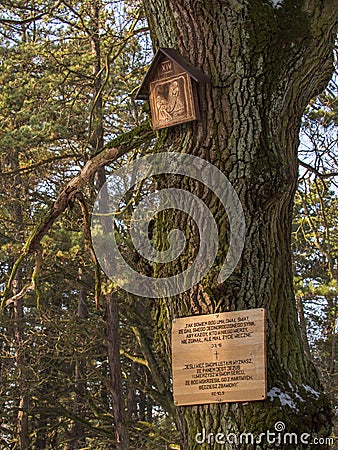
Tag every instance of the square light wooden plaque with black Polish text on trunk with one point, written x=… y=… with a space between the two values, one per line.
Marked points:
x=219 y=358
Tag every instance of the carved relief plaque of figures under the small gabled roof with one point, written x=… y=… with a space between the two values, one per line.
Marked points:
x=172 y=101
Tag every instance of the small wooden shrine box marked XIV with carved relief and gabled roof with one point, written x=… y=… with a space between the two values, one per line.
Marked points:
x=171 y=86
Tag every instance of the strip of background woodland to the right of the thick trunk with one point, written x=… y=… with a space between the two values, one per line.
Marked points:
x=315 y=235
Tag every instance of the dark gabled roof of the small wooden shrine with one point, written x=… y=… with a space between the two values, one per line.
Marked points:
x=195 y=73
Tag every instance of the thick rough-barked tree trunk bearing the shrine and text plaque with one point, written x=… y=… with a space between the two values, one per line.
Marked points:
x=266 y=64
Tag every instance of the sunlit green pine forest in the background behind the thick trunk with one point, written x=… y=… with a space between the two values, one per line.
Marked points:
x=49 y=113
